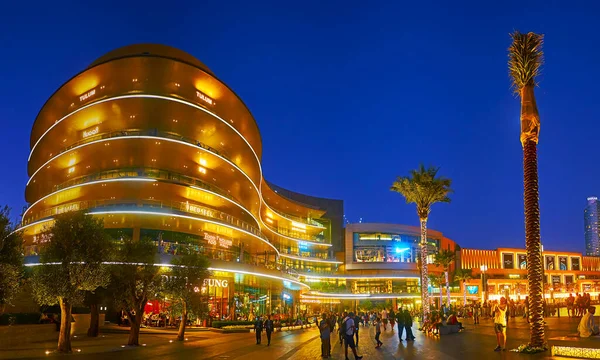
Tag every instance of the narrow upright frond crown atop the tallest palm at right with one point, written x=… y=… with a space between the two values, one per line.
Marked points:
x=525 y=58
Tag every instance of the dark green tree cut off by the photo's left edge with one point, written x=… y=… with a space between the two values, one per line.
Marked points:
x=11 y=259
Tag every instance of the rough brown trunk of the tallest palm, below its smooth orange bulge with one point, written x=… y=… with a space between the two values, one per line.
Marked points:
x=533 y=243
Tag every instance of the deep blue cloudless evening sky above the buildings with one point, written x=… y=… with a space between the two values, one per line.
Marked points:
x=350 y=94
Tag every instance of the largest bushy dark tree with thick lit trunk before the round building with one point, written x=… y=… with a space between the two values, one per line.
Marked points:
x=71 y=263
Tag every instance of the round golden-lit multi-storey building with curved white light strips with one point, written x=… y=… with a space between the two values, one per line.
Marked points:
x=151 y=141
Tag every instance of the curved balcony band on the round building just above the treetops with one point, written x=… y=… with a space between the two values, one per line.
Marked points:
x=177 y=206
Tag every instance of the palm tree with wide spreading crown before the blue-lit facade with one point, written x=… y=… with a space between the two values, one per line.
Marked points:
x=424 y=188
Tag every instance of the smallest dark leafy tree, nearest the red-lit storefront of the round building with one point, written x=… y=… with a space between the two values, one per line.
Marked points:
x=184 y=283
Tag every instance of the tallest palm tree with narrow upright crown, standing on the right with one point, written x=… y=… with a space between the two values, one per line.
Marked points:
x=525 y=59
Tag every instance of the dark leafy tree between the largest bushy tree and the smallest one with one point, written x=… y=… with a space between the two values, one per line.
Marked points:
x=135 y=281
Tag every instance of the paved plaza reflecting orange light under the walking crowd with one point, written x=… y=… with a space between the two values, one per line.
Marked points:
x=476 y=342
